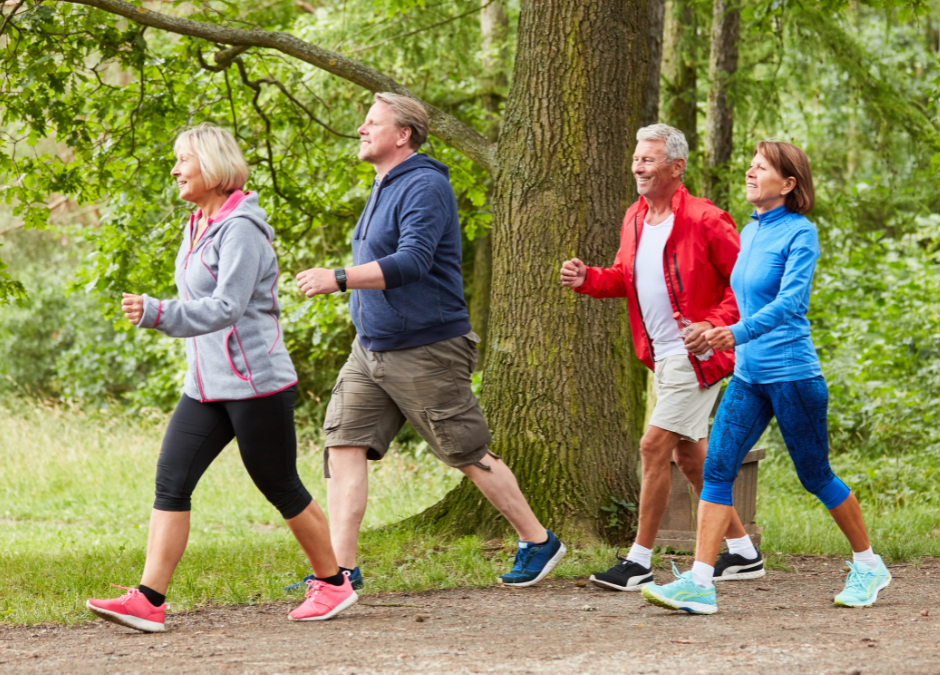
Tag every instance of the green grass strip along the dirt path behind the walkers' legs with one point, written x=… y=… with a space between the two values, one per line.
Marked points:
x=75 y=497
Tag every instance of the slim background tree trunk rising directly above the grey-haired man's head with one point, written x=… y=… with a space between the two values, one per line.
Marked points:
x=678 y=103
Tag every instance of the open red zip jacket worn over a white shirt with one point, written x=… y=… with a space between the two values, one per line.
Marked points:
x=697 y=261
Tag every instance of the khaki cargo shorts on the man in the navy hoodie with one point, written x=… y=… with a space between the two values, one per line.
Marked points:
x=428 y=386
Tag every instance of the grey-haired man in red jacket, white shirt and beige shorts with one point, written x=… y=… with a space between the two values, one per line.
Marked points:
x=674 y=266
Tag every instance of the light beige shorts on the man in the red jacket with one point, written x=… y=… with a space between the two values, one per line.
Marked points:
x=682 y=406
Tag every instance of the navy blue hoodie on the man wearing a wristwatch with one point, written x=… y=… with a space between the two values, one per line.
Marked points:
x=410 y=226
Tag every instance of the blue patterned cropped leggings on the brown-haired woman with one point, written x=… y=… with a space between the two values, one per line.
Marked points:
x=746 y=409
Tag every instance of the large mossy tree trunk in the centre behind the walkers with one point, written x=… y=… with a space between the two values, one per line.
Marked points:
x=561 y=396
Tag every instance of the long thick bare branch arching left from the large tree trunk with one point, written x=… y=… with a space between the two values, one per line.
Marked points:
x=448 y=129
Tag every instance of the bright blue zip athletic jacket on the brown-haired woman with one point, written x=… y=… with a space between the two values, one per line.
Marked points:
x=771 y=281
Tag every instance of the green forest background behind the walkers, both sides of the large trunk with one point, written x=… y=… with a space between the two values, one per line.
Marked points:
x=90 y=104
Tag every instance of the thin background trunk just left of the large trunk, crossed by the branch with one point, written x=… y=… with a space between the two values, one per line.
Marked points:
x=494 y=29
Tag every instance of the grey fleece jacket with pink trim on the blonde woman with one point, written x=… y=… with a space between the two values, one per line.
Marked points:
x=228 y=311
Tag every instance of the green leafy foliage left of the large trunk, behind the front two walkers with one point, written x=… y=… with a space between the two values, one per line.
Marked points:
x=91 y=105
